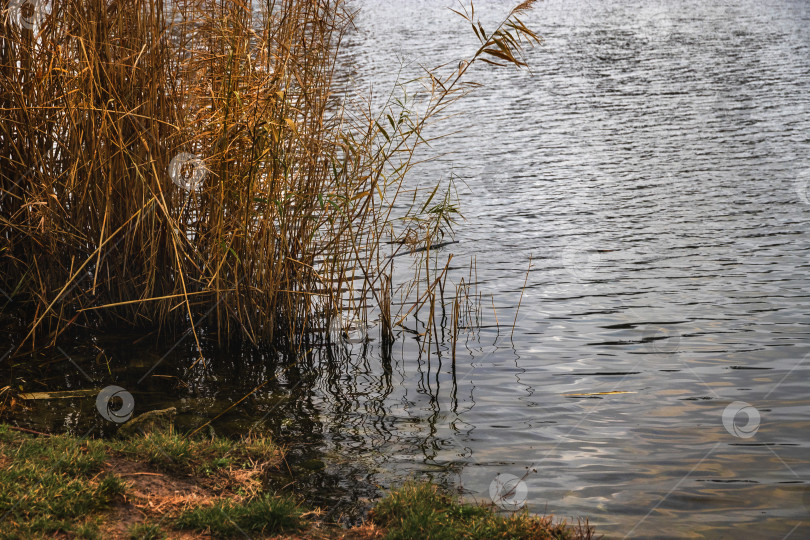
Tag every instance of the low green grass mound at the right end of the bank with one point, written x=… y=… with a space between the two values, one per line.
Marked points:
x=421 y=510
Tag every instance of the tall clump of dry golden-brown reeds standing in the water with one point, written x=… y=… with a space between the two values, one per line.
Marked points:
x=184 y=166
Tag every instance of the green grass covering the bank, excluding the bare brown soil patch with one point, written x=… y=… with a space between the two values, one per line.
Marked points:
x=57 y=486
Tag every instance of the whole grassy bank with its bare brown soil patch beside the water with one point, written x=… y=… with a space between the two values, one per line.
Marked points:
x=166 y=486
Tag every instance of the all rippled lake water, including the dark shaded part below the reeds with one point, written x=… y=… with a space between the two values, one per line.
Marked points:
x=653 y=167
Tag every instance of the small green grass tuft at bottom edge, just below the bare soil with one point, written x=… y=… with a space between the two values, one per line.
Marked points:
x=266 y=514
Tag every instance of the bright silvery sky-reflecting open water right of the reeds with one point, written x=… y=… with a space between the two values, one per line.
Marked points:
x=648 y=163
